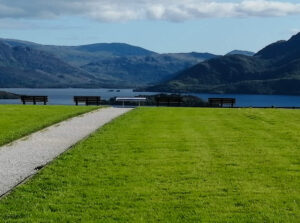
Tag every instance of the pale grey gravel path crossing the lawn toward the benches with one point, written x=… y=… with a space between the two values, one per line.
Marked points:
x=24 y=157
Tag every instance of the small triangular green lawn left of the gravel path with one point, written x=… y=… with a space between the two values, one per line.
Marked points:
x=17 y=121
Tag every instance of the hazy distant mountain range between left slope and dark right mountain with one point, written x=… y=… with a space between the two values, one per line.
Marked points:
x=114 y=64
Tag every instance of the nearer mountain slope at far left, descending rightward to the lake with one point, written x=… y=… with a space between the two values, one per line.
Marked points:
x=23 y=66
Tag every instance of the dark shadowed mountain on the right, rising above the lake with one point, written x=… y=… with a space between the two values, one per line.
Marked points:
x=273 y=70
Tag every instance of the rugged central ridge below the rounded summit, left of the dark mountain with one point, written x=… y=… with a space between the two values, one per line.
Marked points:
x=144 y=70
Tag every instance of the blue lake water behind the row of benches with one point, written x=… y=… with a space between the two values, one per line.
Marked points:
x=65 y=96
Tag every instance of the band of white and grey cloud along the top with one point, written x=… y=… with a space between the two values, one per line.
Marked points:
x=125 y=10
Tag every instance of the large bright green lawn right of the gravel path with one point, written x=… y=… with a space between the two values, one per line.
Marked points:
x=172 y=165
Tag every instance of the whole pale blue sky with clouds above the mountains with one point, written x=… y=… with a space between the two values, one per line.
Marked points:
x=164 y=26
